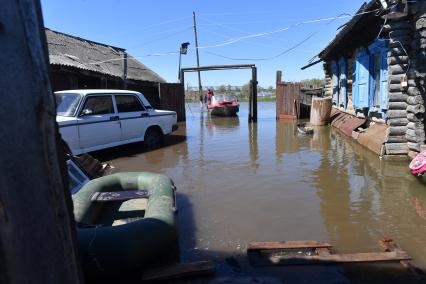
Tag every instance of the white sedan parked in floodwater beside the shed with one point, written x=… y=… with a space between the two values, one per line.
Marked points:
x=91 y=120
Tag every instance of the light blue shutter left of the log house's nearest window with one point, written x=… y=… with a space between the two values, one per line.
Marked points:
x=363 y=72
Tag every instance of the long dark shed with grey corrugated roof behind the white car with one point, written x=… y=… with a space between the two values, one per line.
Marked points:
x=77 y=63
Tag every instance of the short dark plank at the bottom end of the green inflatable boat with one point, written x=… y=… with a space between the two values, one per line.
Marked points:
x=179 y=270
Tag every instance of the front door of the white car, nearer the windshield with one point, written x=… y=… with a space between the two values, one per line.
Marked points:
x=98 y=123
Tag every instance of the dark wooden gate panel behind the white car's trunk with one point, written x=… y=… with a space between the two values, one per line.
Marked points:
x=172 y=97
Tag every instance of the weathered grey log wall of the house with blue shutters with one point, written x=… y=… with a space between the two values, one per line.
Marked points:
x=406 y=60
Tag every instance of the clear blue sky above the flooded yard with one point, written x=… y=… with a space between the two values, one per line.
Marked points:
x=147 y=28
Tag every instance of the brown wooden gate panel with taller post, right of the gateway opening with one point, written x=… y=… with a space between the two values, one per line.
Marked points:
x=287 y=99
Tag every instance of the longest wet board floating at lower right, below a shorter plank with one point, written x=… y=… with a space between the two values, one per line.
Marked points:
x=326 y=258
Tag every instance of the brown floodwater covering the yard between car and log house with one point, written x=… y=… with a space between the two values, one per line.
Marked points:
x=239 y=182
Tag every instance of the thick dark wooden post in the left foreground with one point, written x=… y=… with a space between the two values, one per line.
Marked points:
x=37 y=229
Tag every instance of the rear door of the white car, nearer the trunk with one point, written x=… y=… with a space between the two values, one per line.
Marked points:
x=133 y=116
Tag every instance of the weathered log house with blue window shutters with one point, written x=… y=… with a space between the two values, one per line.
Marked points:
x=375 y=69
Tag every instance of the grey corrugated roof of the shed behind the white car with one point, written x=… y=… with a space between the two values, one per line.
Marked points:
x=67 y=50
